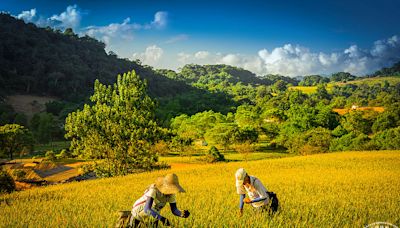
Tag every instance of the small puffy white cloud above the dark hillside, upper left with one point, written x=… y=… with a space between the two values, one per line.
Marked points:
x=70 y=18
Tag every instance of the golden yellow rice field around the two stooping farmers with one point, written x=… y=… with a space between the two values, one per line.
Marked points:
x=348 y=189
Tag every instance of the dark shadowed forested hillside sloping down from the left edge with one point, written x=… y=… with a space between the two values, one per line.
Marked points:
x=44 y=61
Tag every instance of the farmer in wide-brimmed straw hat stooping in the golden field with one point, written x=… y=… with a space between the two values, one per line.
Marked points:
x=147 y=208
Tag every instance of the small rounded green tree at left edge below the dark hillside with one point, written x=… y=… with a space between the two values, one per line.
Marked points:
x=12 y=139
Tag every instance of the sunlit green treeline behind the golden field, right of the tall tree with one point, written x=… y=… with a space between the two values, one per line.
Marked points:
x=304 y=123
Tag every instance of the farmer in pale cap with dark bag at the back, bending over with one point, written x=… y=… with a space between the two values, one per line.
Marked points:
x=259 y=197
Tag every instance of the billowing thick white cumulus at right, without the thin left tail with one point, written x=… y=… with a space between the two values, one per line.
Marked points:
x=296 y=60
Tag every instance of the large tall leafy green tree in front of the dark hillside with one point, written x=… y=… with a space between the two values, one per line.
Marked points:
x=119 y=127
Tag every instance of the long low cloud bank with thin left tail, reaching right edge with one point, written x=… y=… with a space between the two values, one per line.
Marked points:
x=294 y=60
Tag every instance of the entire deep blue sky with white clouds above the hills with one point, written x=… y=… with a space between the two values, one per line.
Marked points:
x=286 y=37
